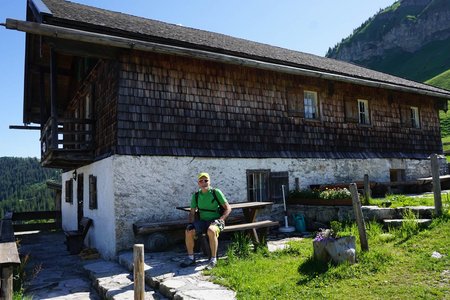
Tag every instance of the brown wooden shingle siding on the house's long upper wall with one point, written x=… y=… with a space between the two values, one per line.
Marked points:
x=178 y=106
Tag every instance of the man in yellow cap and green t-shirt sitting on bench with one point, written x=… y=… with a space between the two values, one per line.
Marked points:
x=212 y=209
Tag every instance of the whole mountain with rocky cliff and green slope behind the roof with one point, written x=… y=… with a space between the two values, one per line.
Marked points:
x=410 y=39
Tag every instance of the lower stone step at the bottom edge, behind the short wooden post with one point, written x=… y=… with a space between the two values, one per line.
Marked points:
x=113 y=281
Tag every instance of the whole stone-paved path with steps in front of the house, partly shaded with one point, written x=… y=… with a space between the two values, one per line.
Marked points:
x=54 y=274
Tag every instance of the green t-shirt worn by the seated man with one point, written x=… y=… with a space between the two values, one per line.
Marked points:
x=206 y=201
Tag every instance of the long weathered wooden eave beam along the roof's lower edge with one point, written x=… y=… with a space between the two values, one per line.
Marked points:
x=127 y=43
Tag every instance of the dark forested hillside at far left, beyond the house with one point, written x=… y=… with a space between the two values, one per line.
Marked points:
x=23 y=185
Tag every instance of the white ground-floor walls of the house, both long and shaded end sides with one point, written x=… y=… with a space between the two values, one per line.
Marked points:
x=149 y=188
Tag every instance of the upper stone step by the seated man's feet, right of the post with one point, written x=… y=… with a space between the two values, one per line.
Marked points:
x=163 y=273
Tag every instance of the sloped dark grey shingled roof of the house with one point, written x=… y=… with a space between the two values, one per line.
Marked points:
x=74 y=15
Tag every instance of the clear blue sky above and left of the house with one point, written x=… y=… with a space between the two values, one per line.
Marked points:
x=309 y=26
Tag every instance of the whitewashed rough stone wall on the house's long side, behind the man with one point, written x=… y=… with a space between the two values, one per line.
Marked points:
x=149 y=188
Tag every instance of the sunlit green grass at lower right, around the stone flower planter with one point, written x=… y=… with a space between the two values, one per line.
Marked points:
x=398 y=265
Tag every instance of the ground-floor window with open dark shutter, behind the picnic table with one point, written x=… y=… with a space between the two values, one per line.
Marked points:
x=263 y=185
